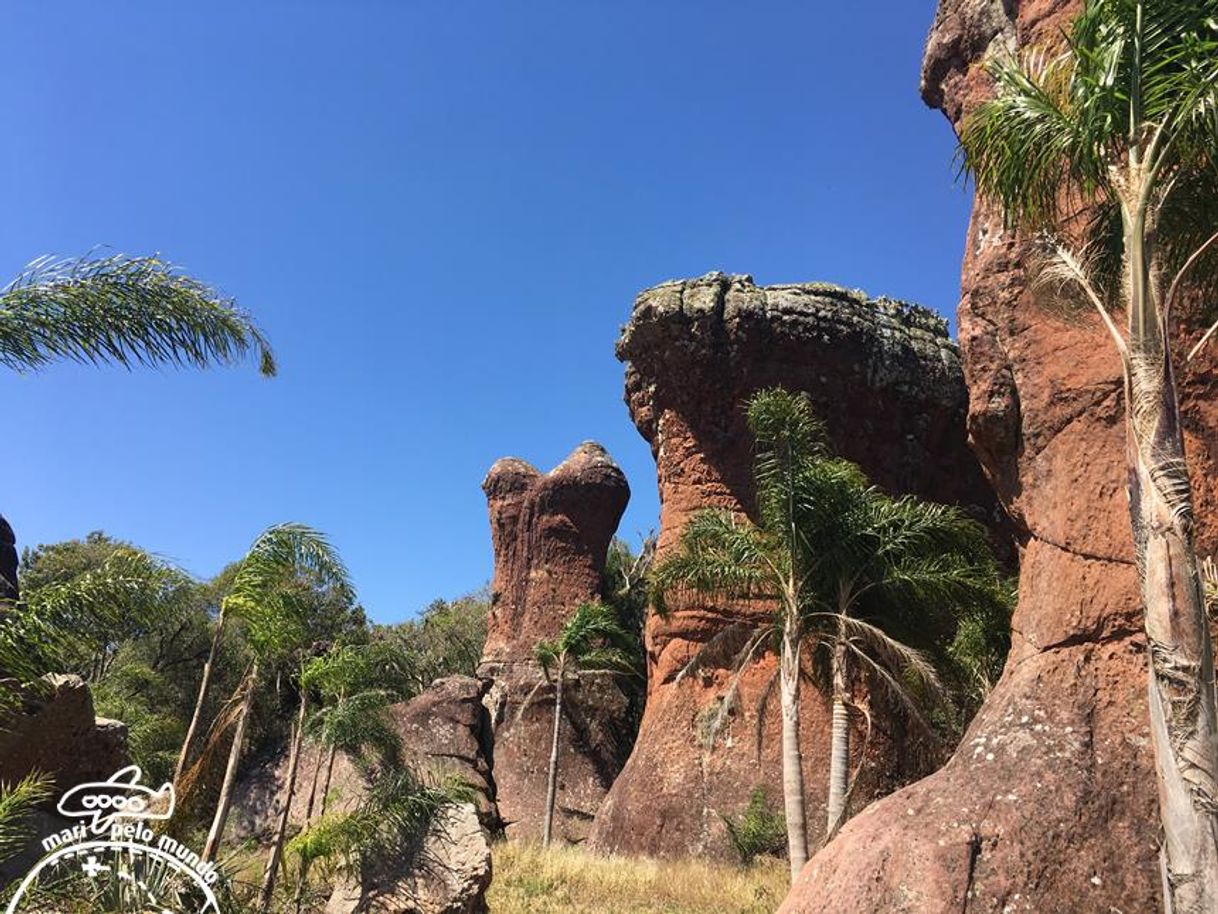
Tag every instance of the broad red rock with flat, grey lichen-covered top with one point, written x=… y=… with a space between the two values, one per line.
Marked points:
x=887 y=381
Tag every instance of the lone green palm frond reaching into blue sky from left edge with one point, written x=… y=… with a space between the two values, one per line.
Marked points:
x=125 y=310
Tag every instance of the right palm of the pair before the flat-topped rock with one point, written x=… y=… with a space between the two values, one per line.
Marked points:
x=885 y=569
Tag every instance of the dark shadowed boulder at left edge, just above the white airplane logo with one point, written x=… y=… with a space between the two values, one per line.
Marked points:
x=55 y=732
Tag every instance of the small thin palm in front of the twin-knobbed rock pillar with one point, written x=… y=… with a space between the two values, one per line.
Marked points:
x=591 y=642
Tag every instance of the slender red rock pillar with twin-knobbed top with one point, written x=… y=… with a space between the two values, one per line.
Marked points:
x=551 y=533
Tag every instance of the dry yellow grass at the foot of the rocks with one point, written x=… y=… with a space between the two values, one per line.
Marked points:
x=566 y=880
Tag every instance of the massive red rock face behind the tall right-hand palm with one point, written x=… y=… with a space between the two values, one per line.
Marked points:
x=1049 y=804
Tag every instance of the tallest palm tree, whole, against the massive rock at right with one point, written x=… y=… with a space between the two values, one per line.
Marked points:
x=1121 y=124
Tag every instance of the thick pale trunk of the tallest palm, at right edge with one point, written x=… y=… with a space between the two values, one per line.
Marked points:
x=1185 y=723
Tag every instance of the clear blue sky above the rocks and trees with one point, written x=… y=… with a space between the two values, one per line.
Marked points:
x=440 y=213
